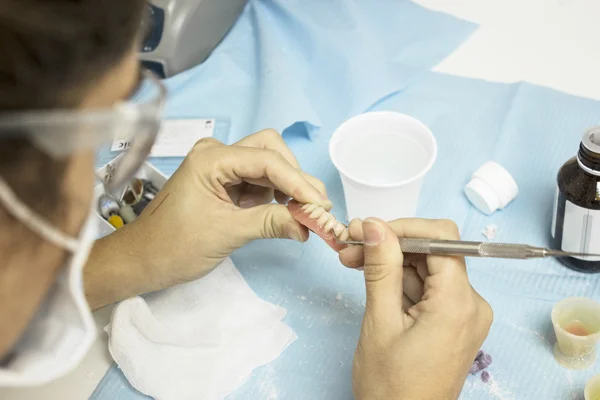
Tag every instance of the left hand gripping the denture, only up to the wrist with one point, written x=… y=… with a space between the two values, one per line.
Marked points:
x=220 y=199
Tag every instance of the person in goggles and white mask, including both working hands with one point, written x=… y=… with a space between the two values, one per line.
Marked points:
x=67 y=69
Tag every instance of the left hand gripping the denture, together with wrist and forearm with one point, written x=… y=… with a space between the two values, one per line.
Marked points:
x=219 y=199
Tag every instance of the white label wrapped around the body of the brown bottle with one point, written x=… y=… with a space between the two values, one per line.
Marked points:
x=580 y=230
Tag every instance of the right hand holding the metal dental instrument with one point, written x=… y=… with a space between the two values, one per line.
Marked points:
x=423 y=322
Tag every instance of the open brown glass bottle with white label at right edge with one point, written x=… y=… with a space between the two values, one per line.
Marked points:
x=576 y=221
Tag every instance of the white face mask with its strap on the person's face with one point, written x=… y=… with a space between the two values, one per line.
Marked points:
x=63 y=329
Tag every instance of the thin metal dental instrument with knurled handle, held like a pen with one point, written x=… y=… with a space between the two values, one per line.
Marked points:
x=476 y=249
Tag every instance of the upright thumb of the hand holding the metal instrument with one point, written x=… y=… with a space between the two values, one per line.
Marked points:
x=383 y=269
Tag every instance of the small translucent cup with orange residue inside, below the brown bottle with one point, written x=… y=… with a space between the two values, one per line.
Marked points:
x=576 y=322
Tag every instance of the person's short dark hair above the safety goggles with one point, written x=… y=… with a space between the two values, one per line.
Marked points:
x=50 y=47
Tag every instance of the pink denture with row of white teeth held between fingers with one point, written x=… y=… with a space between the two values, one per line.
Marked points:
x=321 y=222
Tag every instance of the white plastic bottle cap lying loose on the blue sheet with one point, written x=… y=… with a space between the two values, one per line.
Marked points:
x=491 y=188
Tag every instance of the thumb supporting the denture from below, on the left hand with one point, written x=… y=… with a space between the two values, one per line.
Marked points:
x=271 y=221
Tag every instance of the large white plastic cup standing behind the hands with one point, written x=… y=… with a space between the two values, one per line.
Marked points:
x=382 y=158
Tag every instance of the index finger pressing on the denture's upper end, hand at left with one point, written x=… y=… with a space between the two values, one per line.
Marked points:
x=268 y=167
